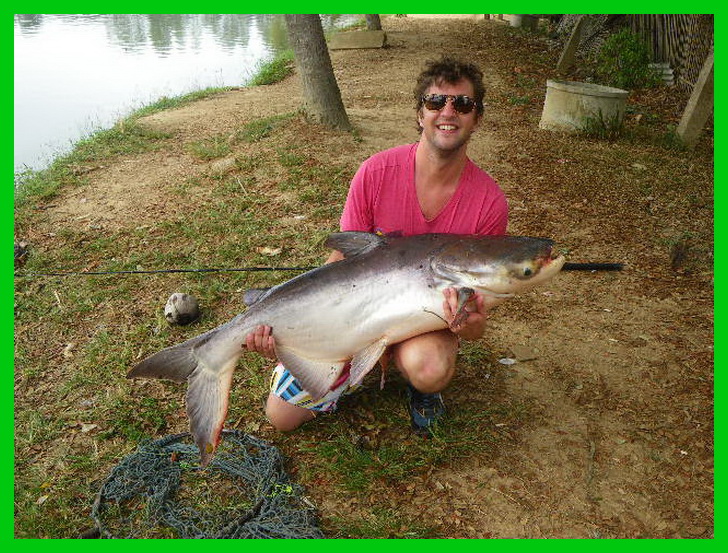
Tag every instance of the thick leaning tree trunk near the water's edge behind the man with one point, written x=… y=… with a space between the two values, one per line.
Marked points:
x=322 y=98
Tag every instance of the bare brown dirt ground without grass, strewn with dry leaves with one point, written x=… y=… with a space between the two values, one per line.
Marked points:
x=619 y=443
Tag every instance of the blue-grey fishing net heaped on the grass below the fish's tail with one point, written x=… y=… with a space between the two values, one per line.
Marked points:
x=160 y=491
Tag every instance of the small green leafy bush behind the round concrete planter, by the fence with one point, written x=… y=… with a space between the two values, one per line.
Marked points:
x=623 y=62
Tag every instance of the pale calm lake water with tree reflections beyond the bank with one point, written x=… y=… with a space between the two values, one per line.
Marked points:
x=77 y=73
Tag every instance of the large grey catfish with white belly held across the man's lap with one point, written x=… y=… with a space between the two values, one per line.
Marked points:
x=384 y=291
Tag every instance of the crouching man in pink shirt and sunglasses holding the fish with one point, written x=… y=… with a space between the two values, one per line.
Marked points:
x=429 y=186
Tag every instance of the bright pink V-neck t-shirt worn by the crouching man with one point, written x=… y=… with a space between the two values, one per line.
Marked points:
x=382 y=199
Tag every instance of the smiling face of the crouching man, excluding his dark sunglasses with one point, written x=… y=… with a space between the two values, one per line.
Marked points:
x=448 y=130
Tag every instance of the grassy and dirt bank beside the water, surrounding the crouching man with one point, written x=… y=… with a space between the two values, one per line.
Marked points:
x=595 y=437
